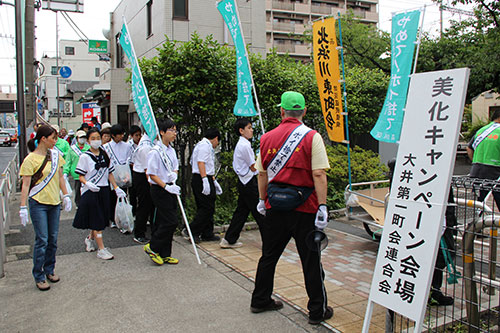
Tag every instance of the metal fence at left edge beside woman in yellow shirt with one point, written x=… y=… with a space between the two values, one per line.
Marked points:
x=8 y=184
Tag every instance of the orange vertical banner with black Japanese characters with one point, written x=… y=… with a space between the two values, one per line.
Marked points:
x=326 y=65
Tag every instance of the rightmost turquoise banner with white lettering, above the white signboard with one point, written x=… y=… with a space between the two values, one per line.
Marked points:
x=404 y=34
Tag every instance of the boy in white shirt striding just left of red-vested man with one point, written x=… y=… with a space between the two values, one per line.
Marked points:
x=248 y=191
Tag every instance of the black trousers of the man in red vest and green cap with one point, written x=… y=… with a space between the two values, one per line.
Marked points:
x=281 y=227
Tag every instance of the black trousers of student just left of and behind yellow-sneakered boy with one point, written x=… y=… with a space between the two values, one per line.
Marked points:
x=145 y=207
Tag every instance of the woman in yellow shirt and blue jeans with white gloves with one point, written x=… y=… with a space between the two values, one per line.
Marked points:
x=42 y=188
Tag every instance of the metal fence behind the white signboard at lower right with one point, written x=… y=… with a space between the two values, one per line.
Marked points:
x=469 y=276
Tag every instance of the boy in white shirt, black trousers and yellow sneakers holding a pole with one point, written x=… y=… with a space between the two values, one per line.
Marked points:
x=162 y=170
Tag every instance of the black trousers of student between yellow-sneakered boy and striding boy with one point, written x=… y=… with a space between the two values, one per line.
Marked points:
x=203 y=223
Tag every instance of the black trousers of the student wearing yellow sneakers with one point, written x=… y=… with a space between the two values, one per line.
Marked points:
x=165 y=221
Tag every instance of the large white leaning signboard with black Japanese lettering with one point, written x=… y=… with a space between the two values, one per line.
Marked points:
x=419 y=194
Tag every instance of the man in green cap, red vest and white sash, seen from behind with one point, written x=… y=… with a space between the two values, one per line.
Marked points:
x=292 y=196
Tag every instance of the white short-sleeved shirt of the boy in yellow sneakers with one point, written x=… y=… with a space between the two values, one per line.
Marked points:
x=157 y=167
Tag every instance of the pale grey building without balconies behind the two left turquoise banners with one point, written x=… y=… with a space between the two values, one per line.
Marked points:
x=151 y=22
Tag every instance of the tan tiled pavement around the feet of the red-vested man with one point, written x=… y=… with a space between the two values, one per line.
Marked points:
x=348 y=262
